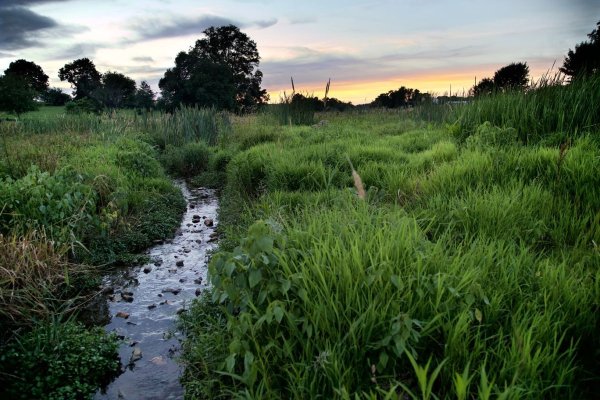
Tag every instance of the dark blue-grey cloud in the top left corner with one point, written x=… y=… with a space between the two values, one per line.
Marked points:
x=17 y=26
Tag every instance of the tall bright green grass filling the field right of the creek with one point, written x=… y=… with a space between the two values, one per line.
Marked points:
x=468 y=269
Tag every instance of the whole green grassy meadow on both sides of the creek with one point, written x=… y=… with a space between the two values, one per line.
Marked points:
x=448 y=251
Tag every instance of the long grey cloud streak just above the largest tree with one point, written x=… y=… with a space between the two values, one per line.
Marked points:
x=150 y=29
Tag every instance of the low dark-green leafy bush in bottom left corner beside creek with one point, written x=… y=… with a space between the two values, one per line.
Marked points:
x=57 y=361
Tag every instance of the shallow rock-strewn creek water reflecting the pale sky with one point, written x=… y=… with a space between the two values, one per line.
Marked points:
x=142 y=304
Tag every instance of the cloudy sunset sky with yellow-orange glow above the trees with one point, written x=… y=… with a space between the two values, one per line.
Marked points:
x=366 y=47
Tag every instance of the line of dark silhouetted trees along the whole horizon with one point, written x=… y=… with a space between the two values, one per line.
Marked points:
x=221 y=70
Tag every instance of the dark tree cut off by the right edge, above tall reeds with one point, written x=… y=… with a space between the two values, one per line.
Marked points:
x=585 y=59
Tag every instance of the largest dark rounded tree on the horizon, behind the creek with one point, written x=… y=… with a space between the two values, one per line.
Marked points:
x=227 y=52
